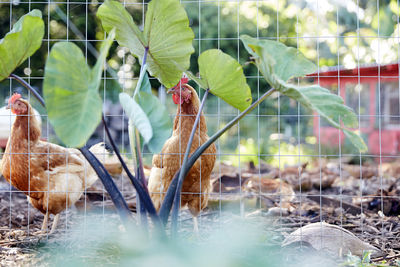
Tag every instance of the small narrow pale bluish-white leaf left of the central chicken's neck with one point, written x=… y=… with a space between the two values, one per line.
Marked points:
x=136 y=114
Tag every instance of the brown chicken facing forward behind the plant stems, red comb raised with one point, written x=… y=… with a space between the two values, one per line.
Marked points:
x=197 y=186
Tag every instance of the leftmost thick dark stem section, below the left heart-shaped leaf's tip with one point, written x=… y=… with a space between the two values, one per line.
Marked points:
x=108 y=183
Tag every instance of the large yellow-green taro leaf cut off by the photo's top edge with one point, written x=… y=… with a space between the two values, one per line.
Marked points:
x=166 y=33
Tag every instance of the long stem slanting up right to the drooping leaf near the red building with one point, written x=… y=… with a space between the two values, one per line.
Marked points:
x=167 y=203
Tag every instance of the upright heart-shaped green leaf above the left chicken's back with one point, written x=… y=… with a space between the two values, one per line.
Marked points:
x=70 y=89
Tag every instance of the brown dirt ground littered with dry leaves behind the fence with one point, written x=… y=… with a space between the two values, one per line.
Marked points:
x=363 y=200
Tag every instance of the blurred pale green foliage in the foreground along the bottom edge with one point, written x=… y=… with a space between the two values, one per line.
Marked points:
x=98 y=241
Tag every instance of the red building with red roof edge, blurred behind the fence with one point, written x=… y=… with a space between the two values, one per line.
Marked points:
x=373 y=93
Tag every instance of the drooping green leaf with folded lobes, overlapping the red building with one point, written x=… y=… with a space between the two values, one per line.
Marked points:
x=279 y=63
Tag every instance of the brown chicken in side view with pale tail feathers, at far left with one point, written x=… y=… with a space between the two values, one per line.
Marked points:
x=53 y=177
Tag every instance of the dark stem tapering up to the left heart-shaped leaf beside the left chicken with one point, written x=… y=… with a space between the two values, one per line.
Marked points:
x=143 y=195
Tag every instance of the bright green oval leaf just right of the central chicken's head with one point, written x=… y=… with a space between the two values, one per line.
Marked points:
x=224 y=76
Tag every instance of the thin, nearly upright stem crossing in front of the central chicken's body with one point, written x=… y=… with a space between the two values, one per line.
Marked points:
x=175 y=211
